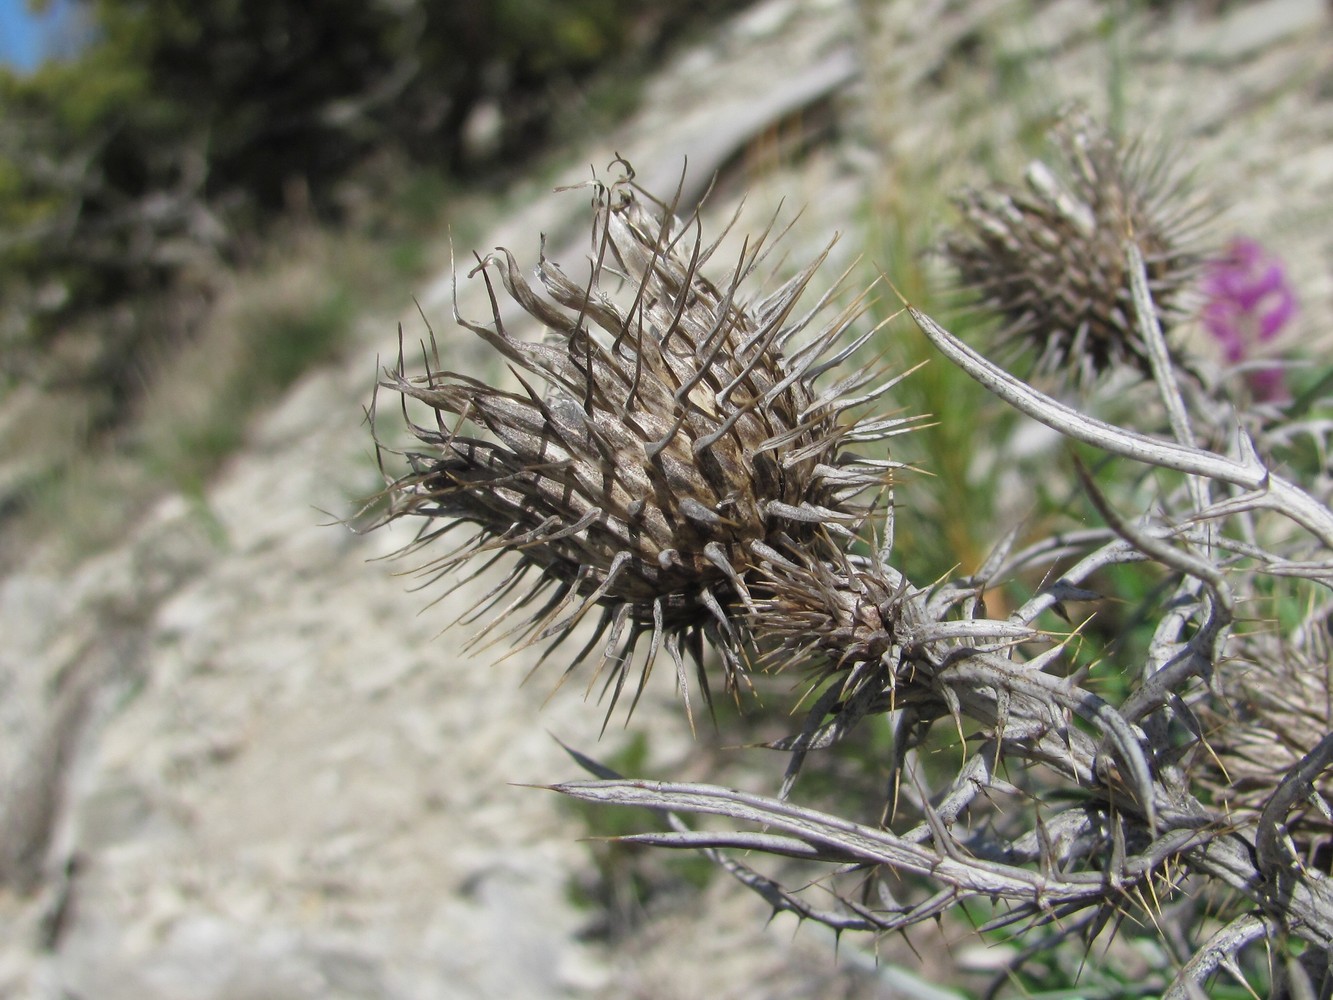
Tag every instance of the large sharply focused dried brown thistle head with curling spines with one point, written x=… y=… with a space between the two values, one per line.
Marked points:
x=662 y=430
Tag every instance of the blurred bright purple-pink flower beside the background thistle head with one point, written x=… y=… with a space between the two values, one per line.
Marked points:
x=1250 y=302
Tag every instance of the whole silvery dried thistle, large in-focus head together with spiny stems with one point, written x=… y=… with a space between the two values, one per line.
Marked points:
x=688 y=461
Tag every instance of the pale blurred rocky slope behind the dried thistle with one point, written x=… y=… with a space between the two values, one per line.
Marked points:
x=238 y=763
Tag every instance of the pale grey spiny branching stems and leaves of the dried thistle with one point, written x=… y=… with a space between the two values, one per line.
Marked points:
x=1027 y=711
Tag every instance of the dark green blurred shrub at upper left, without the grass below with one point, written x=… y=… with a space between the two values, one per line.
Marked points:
x=158 y=154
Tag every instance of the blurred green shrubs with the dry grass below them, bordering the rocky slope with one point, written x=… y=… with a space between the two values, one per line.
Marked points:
x=139 y=175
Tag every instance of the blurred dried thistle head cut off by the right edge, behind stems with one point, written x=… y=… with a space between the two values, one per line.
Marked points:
x=1278 y=706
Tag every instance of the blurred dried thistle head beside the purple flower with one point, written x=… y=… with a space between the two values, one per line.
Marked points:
x=1050 y=258
